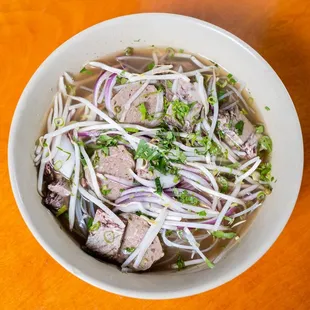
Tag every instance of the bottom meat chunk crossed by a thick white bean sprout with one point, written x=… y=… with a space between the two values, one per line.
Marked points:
x=134 y=234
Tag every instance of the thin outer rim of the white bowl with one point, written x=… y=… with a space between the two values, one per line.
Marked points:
x=105 y=285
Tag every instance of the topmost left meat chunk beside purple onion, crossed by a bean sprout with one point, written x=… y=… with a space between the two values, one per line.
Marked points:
x=148 y=97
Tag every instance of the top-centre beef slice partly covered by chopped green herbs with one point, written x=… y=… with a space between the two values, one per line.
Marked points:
x=187 y=93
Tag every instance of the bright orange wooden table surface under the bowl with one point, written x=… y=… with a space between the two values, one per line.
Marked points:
x=30 y=30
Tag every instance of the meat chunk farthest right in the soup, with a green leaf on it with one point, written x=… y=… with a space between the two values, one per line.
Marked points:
x=244 y=139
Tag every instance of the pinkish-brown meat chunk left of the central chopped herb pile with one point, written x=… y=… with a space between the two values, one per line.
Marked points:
x=117 y=164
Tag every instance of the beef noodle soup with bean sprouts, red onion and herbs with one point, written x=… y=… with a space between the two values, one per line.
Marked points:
x=153 y=159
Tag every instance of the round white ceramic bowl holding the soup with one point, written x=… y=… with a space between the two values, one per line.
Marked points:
x=198 y=37
